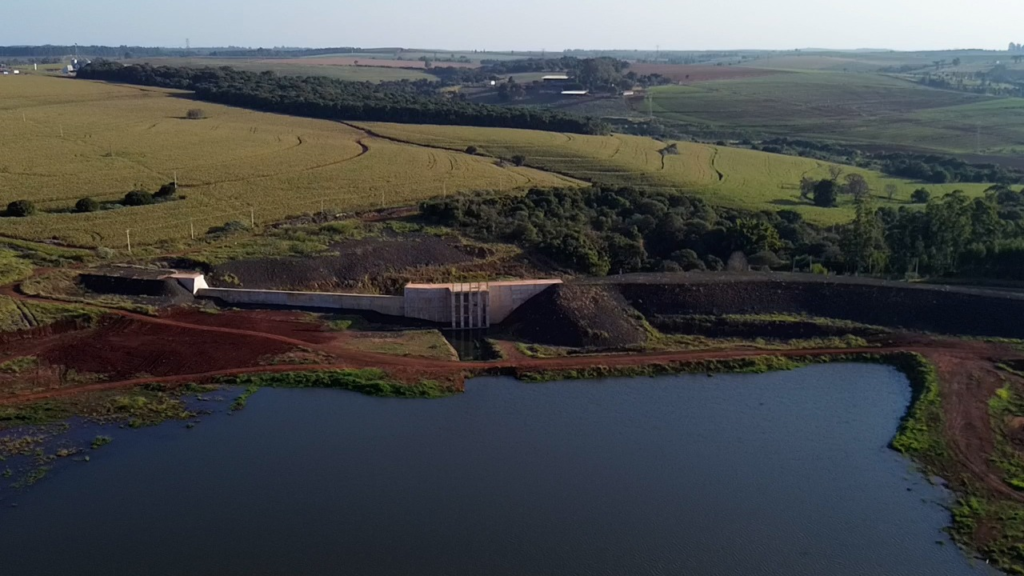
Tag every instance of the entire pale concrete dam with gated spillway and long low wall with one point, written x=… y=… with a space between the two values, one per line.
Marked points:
x=459 y=306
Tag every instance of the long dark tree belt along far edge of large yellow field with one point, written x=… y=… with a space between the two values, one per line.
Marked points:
x=337 y=100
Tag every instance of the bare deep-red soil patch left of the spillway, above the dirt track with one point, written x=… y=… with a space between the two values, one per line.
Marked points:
x=122 y=349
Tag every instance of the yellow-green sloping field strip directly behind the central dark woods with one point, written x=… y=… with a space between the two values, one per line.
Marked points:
x=728 y=177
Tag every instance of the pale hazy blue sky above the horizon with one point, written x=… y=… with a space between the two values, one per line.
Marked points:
x=521 y=25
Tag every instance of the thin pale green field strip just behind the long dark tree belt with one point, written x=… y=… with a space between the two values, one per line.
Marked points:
x=344 y=69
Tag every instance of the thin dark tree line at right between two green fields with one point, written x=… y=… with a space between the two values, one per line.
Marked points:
x=932 y=169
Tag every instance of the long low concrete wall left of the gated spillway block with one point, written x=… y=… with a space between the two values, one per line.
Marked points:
x=392 y=306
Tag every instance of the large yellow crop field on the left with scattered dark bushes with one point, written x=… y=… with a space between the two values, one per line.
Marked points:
x=64 y=140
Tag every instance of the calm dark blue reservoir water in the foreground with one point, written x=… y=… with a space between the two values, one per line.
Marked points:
x=784 y=474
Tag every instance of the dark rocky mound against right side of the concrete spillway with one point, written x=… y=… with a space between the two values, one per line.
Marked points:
x=569 y=315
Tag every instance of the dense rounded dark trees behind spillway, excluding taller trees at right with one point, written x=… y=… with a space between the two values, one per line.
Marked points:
x=604 y=230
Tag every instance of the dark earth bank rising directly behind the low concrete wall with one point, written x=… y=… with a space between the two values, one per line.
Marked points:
x=357 y=261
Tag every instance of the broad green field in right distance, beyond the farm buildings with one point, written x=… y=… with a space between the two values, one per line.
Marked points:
x=864 y=109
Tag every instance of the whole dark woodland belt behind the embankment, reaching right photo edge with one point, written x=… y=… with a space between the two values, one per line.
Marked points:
x=604 y=231
